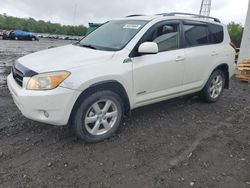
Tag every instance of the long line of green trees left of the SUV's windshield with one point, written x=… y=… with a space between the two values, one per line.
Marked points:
x=32 y=25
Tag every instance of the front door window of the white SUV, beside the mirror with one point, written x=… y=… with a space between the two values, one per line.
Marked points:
x=166 y=36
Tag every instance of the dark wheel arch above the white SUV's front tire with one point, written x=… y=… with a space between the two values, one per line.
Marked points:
x=111 y=85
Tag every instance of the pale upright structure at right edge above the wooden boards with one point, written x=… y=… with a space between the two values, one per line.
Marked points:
x=245 y=44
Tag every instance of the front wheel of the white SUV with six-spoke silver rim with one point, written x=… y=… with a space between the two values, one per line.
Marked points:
x=98 y=116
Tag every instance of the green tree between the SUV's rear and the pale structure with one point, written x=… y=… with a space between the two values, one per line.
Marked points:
x=235 y=32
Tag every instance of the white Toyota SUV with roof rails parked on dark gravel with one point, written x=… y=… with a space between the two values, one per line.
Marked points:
x=124 y=64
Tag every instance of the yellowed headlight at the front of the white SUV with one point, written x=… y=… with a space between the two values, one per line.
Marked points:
x=47 y=81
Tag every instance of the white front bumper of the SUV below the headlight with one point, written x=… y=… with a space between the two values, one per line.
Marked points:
x=52 y=106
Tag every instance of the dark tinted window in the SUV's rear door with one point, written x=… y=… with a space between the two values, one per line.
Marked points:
x=196 y=35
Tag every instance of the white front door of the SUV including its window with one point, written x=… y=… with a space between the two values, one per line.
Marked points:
x=159 y=75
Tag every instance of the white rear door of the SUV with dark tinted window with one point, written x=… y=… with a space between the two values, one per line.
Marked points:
x=199 y=53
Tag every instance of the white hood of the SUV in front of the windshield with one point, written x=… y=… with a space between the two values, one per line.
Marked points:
x=63 y=58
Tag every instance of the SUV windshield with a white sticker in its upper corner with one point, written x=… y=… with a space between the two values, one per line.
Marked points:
x=113 y=35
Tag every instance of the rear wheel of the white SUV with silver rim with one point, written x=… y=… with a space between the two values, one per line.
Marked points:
x=214 y=87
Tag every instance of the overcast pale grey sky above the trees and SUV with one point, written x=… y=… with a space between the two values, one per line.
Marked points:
x=80 y=12
